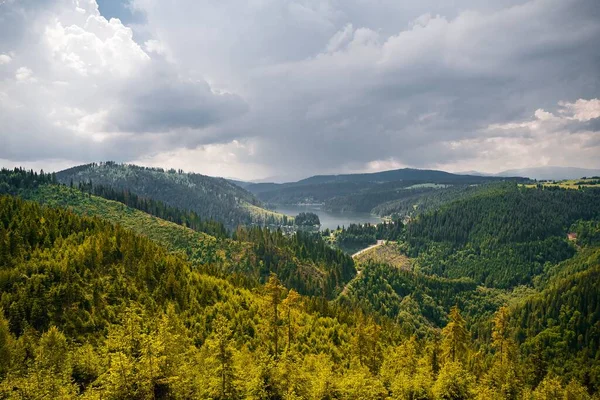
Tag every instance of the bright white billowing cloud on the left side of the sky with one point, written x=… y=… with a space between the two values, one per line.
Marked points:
x=86 y=90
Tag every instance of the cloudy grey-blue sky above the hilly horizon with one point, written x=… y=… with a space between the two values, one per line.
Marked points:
x=285 y=89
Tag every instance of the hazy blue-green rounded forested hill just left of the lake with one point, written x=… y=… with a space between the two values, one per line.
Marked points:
x=210 y=198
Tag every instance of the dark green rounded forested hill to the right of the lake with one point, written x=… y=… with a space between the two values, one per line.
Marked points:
x=503 y=236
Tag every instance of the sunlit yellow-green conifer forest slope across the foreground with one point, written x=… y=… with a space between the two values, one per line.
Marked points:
x=92 y=310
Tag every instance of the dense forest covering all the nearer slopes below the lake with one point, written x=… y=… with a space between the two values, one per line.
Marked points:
x=105 y=293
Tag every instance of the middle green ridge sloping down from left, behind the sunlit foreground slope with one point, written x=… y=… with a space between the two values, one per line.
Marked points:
x=302 y=262
